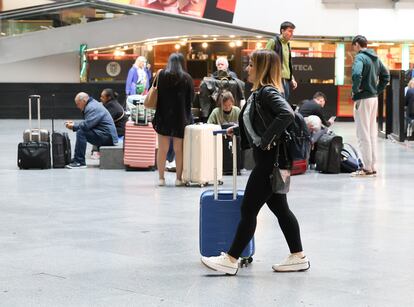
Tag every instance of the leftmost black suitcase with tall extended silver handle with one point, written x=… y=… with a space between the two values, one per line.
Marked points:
x=33 y=154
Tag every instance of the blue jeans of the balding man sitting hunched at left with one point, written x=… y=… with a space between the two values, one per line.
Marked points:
x=82 y=138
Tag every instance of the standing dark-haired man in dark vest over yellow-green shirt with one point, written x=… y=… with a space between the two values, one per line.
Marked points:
x=280 y=44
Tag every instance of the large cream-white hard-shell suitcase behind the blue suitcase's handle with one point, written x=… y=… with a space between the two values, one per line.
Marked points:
x=198 y=157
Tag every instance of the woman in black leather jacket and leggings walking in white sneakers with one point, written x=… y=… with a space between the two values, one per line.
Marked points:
x=262 y=125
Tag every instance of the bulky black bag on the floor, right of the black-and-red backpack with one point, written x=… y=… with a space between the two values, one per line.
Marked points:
x=328 y=154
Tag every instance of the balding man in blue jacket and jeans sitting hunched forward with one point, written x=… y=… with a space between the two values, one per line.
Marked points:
x=97 y=128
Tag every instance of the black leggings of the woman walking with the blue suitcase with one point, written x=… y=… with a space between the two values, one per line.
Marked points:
x=258 y=192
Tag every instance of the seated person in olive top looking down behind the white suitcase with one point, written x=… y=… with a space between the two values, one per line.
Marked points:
x=227 y=113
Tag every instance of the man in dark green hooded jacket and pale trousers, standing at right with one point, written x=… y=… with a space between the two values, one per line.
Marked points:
x=369 y=78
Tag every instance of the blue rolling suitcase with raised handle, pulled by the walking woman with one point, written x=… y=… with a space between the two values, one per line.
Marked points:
x=220 y=215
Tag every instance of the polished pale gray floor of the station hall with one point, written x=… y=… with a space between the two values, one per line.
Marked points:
x=112 y=238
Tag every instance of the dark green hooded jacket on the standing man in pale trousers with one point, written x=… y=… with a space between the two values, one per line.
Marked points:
x=369 y=75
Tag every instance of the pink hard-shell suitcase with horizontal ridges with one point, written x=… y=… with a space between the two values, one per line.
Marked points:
x=139 y=146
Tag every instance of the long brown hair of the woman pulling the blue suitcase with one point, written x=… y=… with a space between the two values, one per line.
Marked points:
x=268 y=69
